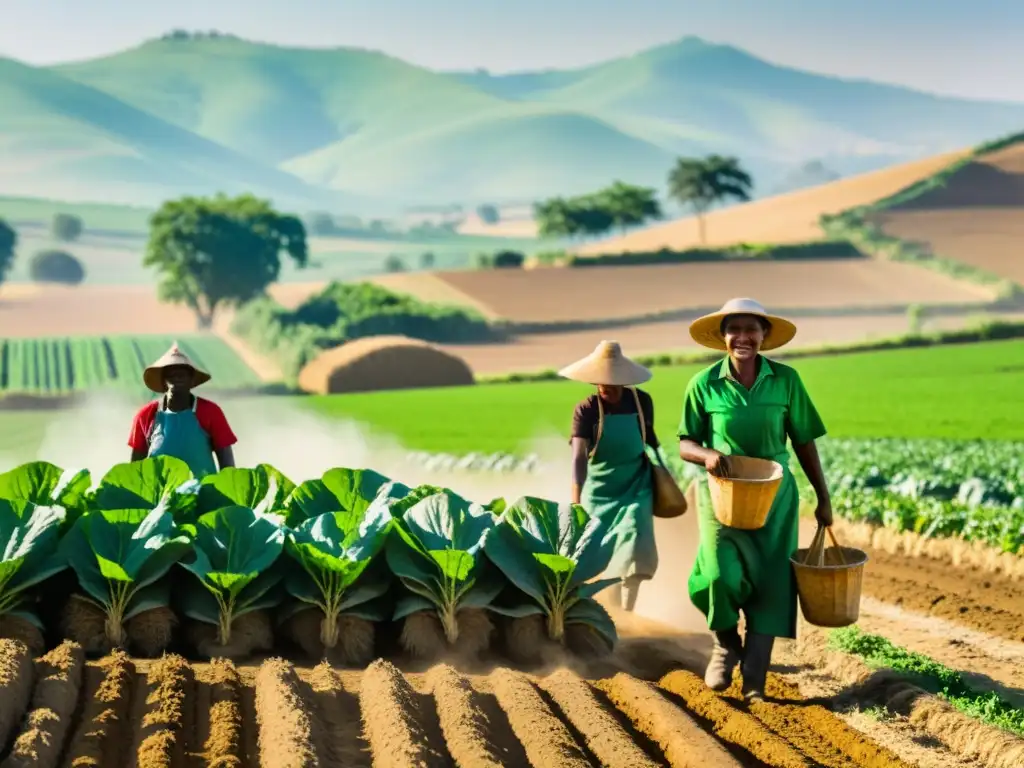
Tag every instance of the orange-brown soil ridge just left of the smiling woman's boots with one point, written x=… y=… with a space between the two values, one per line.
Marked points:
x=733 y=726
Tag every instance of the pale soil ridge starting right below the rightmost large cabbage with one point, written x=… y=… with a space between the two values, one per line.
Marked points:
x=610 y=743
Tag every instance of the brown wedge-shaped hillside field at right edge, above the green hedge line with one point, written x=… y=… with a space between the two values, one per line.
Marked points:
x=977 y=218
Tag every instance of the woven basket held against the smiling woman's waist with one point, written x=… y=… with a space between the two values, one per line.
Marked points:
x=744 y=499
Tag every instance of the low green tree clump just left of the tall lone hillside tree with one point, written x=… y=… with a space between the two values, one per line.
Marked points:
x=620 y=205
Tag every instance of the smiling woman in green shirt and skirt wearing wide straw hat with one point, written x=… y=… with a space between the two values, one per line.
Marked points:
x=746 y=405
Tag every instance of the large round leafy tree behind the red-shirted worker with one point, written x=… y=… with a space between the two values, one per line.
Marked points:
x=221 y=251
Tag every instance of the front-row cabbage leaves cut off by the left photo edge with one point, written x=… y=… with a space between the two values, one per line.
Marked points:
x=29 y=552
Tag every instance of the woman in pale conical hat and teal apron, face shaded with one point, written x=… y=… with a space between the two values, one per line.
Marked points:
x=612 y=476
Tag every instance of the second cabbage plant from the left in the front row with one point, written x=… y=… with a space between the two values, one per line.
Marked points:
x=120 y=558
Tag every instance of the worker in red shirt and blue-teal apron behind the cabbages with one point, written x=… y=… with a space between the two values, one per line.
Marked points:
x=179 y=423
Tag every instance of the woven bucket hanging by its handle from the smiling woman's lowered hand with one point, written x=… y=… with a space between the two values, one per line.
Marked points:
x=829 y=581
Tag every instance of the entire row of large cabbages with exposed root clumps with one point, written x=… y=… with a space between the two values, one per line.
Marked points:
x=331 y=564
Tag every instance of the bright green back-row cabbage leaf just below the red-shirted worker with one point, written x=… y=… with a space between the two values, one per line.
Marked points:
x=161 y=482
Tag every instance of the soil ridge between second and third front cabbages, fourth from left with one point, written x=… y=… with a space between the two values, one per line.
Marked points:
x=163 y=730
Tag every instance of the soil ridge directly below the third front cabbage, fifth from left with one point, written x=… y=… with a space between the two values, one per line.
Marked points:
x=221 y=735
